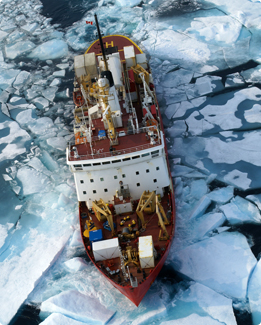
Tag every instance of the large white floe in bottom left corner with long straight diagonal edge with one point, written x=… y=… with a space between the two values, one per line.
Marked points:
x=21 y=273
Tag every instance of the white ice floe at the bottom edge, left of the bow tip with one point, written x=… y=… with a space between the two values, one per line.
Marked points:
x=78 y=306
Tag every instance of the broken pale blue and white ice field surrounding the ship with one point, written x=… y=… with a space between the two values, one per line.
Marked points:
x=212 y=124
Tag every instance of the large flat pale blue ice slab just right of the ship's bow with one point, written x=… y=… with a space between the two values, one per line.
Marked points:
x=222 y=263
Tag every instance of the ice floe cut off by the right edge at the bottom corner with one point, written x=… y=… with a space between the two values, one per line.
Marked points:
x=254 y=294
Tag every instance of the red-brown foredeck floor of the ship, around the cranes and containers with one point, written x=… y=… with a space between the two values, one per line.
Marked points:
x=152 y=228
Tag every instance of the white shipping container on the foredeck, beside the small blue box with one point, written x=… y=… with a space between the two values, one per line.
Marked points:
x=106 y=249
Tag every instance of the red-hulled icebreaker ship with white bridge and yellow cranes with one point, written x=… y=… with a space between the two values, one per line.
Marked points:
x=119 y=161
